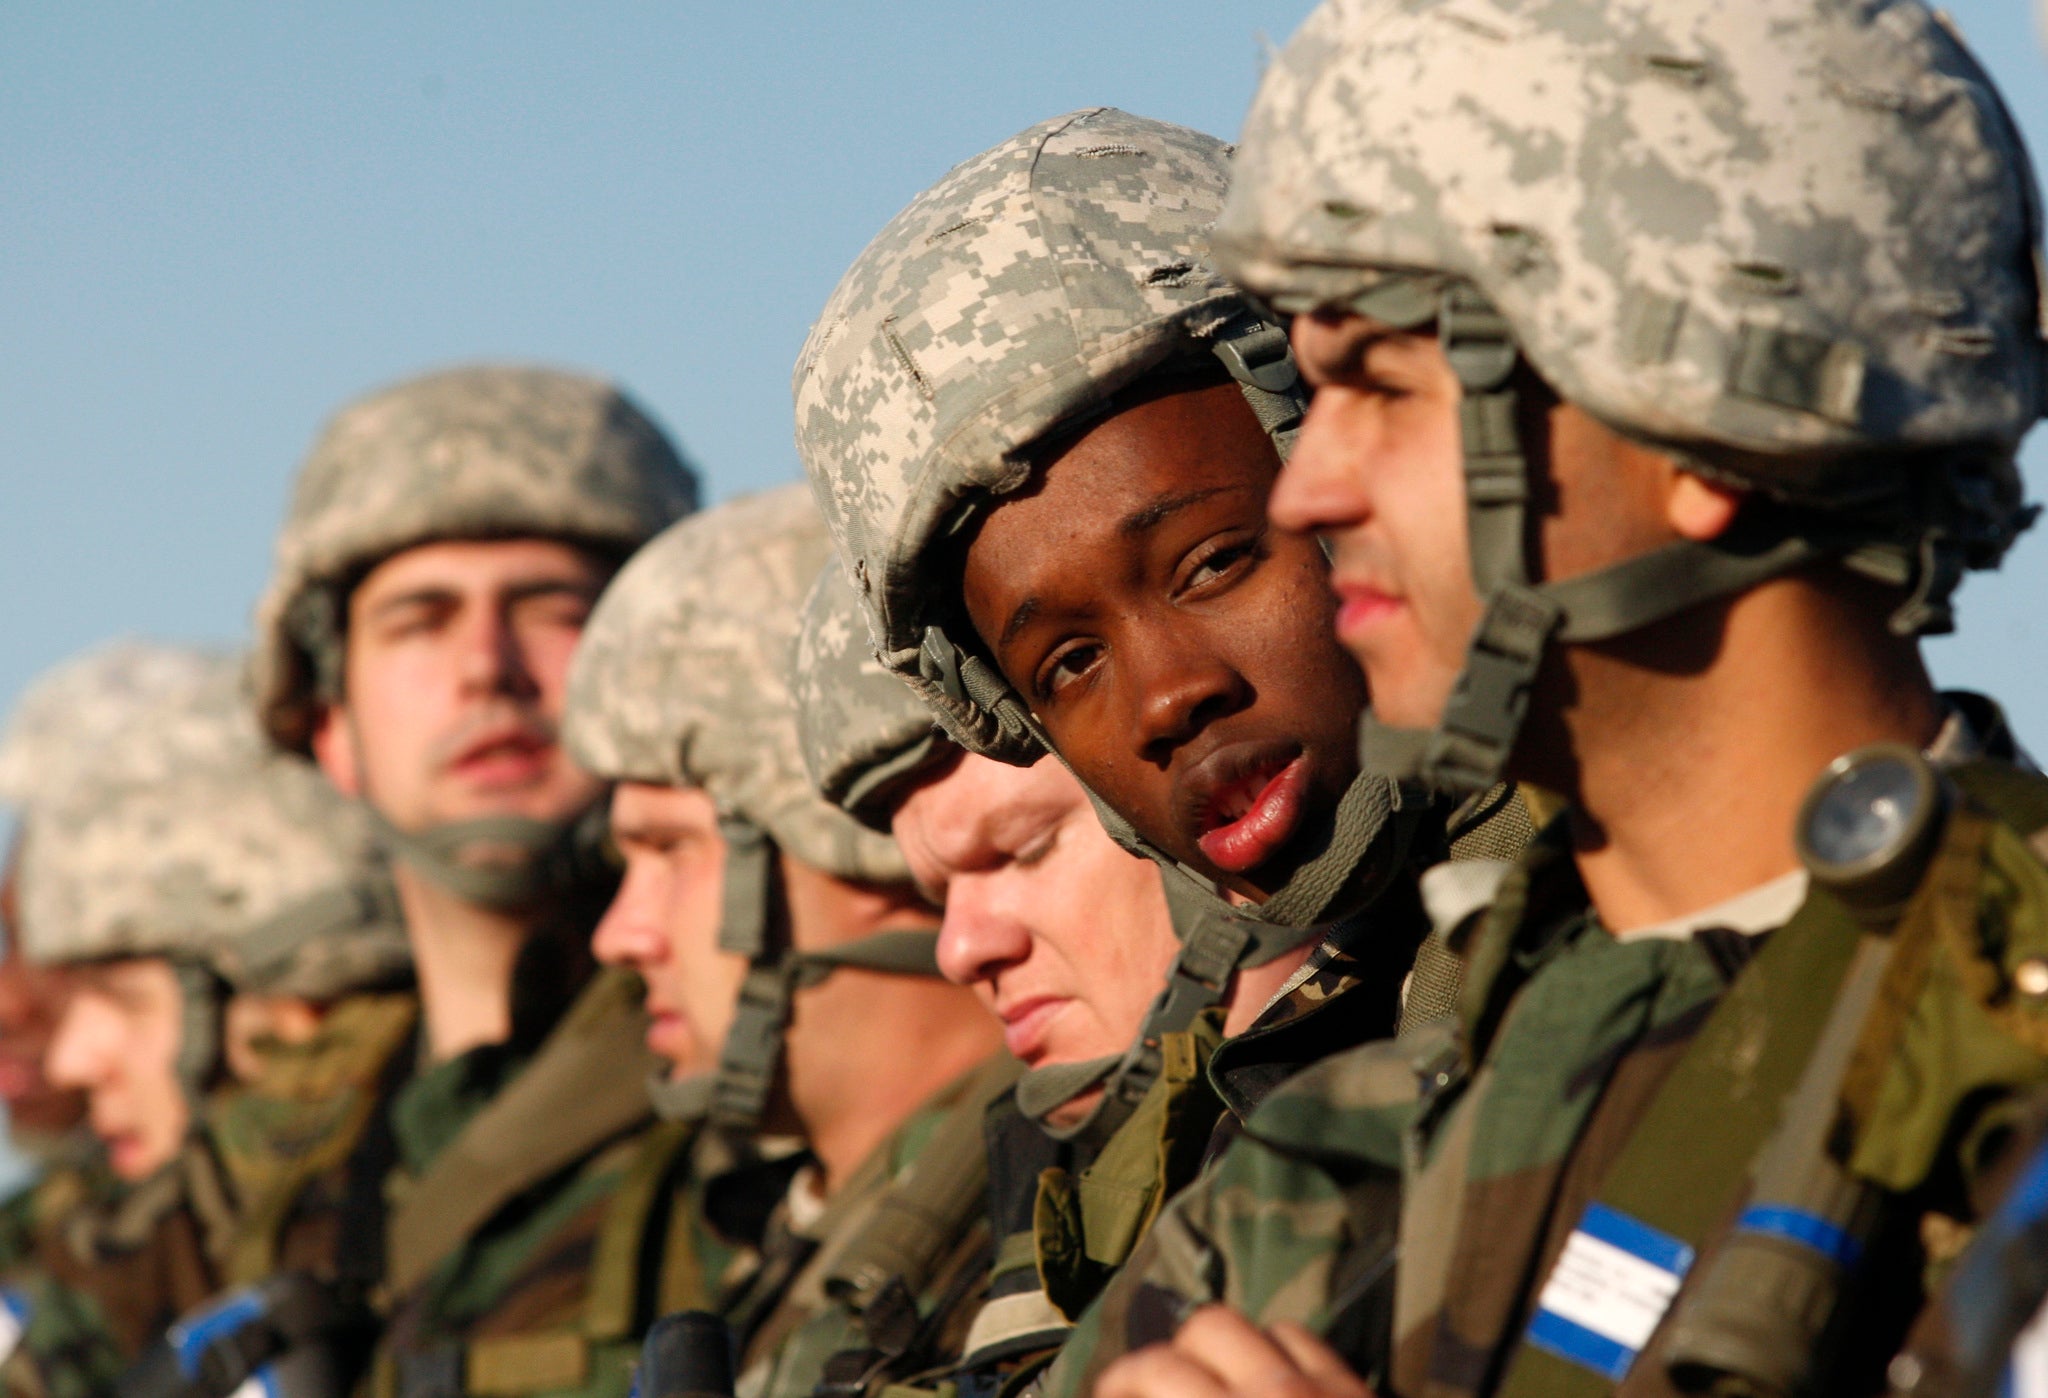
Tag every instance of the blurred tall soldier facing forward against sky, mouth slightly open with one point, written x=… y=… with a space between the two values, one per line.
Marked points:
x=445 y=543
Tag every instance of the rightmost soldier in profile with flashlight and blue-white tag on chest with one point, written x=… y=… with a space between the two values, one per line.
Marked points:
x=1656 y=421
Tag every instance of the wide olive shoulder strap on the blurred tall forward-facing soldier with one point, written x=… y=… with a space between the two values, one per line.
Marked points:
x=585 y=1088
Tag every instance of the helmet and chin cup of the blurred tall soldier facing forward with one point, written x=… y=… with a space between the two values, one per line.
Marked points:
x=466 y=453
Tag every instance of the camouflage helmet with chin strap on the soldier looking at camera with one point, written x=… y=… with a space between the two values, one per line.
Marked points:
x=1017 y=298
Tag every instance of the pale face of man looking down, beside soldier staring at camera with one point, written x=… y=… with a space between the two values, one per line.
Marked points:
x=1062 y=934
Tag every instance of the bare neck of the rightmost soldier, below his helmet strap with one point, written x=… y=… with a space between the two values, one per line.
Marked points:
x=1691 y=748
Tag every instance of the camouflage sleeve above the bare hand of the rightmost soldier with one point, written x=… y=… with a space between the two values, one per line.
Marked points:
x=1279 y=1227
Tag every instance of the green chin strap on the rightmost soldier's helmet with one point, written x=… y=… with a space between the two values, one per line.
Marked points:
x=1469 y=748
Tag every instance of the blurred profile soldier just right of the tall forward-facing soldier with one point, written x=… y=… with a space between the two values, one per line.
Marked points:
x=843 y=1033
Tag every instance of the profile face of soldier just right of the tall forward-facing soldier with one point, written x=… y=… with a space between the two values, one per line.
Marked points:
x=665 y=922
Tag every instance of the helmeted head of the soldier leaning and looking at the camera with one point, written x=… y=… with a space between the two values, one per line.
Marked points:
x=1027 y=359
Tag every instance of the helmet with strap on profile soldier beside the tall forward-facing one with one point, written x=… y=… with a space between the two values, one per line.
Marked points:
x=681 y=681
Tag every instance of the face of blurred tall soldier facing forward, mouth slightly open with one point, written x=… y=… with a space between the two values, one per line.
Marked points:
x=456 y=676
